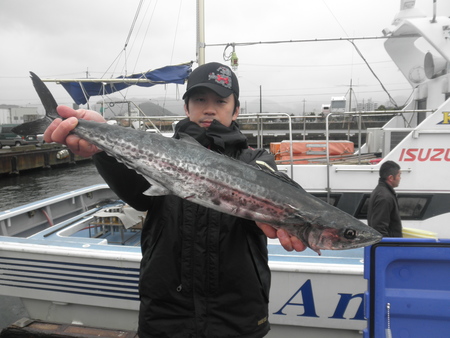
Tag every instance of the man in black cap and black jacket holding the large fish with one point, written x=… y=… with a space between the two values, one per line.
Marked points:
x=204 y=273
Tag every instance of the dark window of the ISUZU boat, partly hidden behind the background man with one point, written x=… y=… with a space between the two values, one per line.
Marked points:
x=411 y=206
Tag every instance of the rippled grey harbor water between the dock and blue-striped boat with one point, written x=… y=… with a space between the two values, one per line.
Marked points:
x=33 y=185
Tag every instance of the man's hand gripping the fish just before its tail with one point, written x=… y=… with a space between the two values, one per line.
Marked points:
x=59 y=130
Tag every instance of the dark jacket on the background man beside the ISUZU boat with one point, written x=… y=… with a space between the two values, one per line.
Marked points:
x=383 y=214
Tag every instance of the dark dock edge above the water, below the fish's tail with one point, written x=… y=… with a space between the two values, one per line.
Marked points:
x=17 y=159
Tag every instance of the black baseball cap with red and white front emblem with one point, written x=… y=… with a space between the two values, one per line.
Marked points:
x=215 y=76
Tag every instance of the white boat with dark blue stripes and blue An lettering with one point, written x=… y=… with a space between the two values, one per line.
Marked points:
x=74 y=258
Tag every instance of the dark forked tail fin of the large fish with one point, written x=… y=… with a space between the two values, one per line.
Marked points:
x=49 y=103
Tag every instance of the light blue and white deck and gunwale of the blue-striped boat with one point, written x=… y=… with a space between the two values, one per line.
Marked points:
x=104 y=228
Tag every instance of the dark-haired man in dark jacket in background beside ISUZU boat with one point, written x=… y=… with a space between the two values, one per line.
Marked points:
x=383 y=214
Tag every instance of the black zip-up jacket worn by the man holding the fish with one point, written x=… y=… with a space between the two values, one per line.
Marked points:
x=203 y=273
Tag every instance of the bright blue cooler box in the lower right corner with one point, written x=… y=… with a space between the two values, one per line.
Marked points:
x=408 y=288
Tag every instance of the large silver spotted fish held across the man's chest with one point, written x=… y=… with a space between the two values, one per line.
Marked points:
x=186 y=169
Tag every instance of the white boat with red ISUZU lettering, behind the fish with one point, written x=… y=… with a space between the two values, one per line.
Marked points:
x=416 y=138
